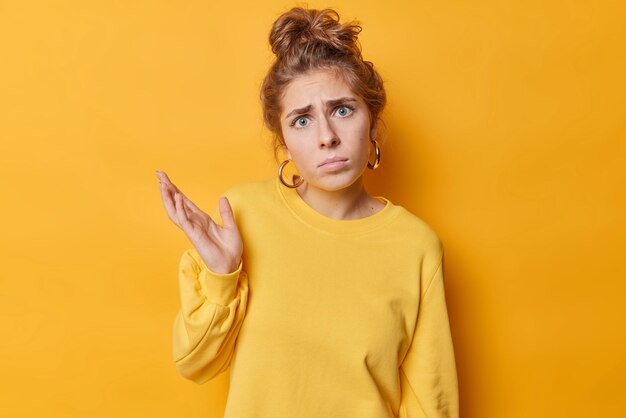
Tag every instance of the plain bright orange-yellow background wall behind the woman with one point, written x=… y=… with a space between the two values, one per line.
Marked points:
x=506 y=133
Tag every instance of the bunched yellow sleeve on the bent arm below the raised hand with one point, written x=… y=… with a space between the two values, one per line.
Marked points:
x=212 y=310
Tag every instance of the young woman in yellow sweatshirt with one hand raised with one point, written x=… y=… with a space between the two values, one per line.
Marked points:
x=322 y=300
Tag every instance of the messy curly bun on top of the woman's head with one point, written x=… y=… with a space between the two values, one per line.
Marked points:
x=299 y=31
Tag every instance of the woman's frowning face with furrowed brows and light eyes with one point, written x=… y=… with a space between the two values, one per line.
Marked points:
x=326 y=128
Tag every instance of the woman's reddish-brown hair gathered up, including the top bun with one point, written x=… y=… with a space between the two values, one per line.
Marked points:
x=309 y=39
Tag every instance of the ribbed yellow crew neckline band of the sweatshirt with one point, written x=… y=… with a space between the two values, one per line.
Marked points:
x=313 y=218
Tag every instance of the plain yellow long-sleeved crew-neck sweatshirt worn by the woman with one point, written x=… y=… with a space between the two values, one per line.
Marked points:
x=323 y=317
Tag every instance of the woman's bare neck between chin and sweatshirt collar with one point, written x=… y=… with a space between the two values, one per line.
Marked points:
x=353 y=202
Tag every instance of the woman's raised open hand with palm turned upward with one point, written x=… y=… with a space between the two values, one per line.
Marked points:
x=219 y=246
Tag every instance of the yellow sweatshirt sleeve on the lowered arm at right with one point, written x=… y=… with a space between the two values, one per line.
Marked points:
x=428 y=375
